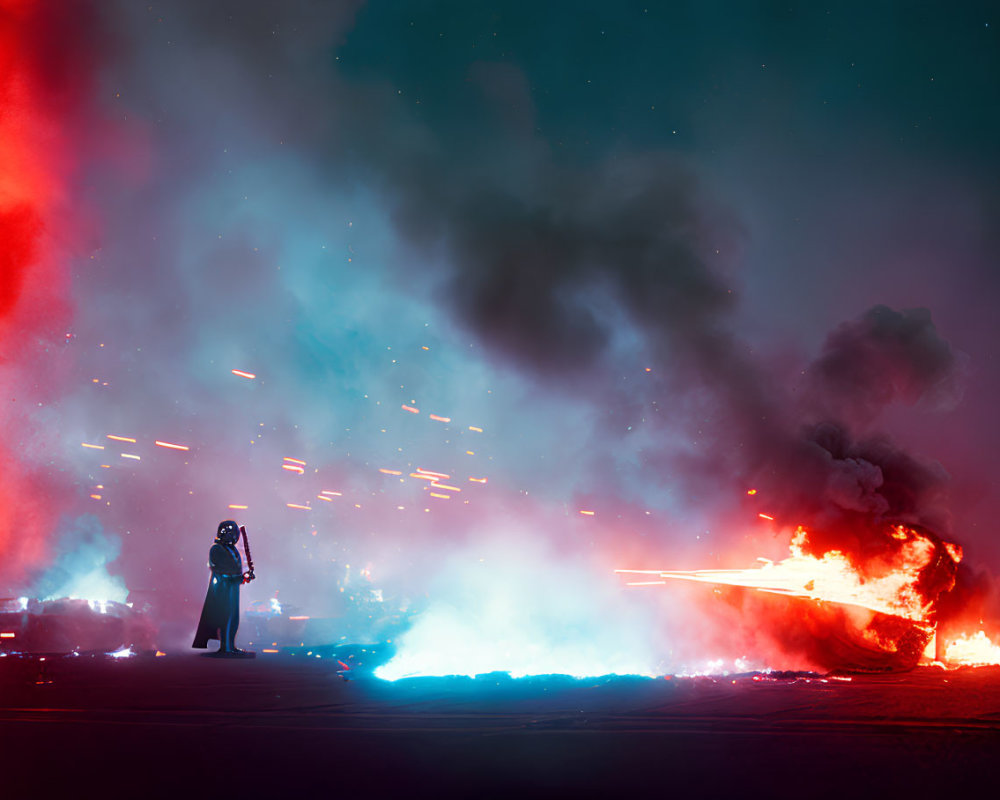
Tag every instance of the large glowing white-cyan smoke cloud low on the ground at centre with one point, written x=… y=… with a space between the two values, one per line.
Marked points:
x=511 y=604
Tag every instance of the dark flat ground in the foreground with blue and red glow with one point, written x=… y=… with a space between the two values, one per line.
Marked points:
x=288 y=726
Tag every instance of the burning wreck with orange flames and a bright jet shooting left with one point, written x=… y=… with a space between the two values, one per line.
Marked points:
x=869 y=612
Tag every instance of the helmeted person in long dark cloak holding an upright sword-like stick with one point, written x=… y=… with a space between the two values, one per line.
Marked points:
x=220 y=616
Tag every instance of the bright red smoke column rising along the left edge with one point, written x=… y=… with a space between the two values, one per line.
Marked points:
x=44 y=82
